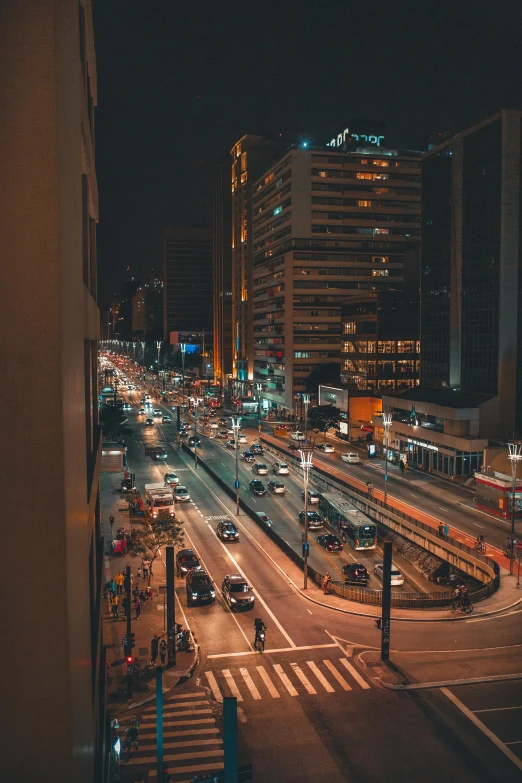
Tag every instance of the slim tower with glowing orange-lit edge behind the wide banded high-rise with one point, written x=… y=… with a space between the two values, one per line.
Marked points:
x=250 y=156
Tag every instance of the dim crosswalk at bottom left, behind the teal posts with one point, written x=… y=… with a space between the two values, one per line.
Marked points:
x=192 y=742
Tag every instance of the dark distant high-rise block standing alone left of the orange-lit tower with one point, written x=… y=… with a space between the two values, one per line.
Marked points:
x=187 y=277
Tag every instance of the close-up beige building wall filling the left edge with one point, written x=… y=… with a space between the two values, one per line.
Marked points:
x=53 y=657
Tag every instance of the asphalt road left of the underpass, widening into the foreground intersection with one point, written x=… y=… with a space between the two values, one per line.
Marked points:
x=311 y=708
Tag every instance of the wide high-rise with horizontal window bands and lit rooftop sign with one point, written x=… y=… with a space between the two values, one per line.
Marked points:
x=327 y=225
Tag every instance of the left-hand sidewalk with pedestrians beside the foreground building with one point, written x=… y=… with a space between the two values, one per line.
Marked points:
x=151 y=621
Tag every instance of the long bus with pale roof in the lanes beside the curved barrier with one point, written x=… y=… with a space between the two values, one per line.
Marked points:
x=352 y=525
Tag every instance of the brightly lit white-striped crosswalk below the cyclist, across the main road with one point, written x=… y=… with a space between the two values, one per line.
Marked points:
x=274 y=680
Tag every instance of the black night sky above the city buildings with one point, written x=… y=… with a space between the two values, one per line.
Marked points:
x=178 y=84
